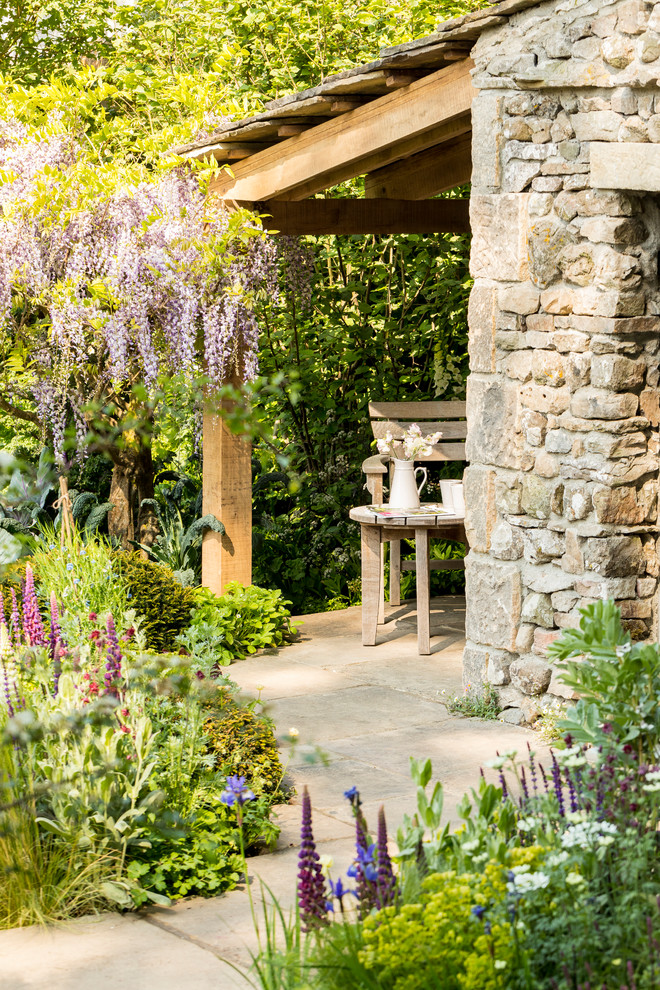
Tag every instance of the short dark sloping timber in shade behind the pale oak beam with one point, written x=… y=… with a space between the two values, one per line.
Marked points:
x=426 y=174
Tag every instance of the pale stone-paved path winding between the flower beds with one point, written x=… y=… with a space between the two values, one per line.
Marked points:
x=369 y=709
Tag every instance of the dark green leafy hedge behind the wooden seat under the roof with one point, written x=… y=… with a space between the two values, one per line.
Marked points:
x=388 y=321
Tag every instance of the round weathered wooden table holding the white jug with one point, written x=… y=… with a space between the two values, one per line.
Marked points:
x=376 y=530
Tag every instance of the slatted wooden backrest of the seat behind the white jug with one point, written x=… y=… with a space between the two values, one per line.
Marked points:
x=448 y=417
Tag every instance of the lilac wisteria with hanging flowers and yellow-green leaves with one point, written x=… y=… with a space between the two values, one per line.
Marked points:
x=125 y=279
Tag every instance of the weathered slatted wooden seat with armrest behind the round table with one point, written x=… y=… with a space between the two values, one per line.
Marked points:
x=396 y=418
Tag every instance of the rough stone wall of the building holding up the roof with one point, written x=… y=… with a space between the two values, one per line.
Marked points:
x=563 y=400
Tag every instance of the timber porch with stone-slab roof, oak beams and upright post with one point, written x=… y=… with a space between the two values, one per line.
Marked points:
x=411 y=141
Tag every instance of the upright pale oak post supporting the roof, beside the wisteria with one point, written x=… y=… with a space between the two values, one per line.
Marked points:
x=227 y=484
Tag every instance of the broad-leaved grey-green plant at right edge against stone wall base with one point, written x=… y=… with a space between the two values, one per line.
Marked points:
x=618 y=682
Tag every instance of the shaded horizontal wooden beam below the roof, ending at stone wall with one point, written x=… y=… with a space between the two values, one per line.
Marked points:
x=366 y=216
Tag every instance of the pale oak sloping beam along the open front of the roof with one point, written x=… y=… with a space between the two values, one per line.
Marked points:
x=371 y=136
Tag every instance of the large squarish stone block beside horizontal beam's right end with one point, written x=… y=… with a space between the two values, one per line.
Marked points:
x=499 y=241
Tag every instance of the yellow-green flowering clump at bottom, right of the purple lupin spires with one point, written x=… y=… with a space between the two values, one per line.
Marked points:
x=439 y=942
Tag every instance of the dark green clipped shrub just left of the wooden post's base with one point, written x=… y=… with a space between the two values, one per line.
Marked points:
x=157 y=596
